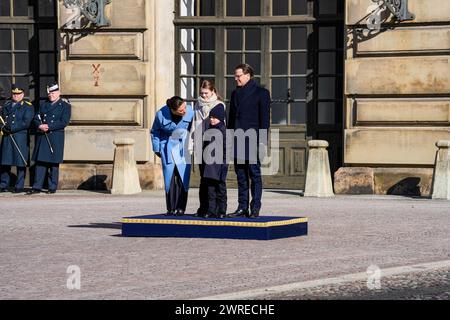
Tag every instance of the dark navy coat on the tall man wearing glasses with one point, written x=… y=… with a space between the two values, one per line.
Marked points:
x=249 y=109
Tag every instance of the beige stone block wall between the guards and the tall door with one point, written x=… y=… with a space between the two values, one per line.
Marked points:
x=116 y=77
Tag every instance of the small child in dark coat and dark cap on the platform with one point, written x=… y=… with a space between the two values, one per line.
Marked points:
x=214 y=170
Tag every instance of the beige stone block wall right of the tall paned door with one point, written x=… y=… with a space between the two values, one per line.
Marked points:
x=397 y=88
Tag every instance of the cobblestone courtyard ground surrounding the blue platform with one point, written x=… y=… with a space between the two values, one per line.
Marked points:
x=41 y=236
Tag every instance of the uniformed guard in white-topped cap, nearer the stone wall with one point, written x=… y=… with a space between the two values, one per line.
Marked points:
x=51 y=120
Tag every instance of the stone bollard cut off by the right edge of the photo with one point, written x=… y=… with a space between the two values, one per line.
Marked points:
x=441 y=175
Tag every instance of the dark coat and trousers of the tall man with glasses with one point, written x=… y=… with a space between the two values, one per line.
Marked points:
x=249 y=109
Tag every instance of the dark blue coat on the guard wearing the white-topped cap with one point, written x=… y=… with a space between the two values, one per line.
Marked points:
x=57 y=116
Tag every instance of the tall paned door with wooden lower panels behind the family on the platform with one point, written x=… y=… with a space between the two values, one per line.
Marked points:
x=296 y=50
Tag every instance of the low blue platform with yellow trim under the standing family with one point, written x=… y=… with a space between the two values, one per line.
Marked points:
x=189 y=226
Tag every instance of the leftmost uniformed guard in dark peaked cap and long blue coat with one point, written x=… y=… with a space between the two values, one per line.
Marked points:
x=16 y=116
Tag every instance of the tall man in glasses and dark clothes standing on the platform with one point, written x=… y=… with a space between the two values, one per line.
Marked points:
x=249 y=111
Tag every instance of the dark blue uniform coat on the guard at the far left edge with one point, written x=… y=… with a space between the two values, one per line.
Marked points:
x=19 y=118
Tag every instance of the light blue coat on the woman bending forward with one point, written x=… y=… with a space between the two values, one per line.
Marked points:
x=171 y=140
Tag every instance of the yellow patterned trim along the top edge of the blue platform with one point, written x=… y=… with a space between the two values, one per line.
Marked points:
x=217 y=223
